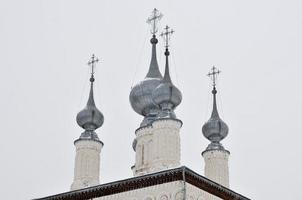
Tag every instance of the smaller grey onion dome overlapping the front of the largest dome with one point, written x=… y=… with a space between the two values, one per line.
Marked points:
x=167 y=95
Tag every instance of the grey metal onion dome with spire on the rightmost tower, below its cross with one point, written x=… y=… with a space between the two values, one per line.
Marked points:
x=215 y=129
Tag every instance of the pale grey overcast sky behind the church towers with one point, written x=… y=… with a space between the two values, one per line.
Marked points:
x=44 y=83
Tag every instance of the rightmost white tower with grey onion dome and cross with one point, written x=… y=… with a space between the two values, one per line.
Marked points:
x=215 y=156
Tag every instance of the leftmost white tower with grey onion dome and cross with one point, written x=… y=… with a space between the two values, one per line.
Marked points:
x=88 y=146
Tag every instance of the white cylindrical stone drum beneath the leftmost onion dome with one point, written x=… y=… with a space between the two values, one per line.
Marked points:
x=87 y=164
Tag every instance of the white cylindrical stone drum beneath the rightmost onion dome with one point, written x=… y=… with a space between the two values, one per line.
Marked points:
x=217 y=168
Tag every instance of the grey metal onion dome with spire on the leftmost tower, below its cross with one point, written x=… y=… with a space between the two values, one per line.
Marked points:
x=90 y=118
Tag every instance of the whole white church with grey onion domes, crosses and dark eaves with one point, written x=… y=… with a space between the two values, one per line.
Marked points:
x=157 y=171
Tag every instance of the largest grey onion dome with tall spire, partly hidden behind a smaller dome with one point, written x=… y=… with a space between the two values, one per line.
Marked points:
x=141 y=94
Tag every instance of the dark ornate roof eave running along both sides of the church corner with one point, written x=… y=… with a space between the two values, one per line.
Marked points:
x=147 y=181
